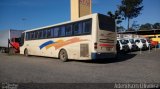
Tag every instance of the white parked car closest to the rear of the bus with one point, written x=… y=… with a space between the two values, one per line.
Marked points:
x=122 y=45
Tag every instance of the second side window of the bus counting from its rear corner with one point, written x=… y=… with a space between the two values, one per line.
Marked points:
x=77 y=27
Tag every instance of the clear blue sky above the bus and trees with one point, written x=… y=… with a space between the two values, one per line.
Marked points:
x=29 y=14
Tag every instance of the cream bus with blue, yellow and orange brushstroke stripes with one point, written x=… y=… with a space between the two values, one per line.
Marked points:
x=88 y=38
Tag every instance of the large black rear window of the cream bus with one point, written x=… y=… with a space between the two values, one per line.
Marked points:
x=106 y=23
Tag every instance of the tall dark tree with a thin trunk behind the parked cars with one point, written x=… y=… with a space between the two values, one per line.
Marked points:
x=130 y=9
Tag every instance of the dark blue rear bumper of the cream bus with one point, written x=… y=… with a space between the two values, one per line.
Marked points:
x=102 y=55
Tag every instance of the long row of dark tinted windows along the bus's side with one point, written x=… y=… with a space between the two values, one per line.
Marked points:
x=72 y=29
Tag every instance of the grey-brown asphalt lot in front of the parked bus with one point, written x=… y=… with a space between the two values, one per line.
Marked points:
x=133 y=67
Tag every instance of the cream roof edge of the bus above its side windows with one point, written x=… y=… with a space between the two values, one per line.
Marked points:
x=81 y=18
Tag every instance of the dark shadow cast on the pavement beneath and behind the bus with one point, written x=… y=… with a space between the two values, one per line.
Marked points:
x=120 y=58
